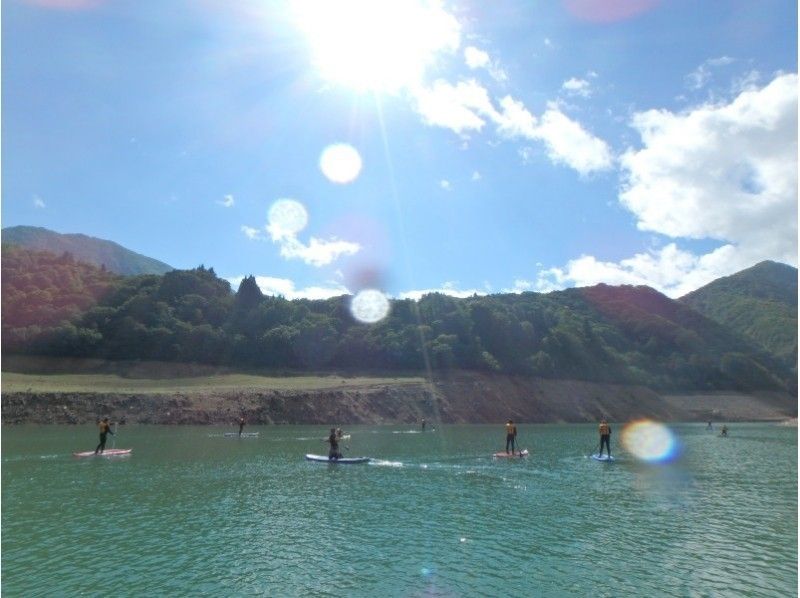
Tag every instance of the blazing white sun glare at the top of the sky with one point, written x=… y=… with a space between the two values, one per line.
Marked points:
x=376 y=45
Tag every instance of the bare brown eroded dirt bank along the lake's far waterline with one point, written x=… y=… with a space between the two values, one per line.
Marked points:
x=460 y=398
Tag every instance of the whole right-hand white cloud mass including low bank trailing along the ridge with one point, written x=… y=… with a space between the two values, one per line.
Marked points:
x=722 y=171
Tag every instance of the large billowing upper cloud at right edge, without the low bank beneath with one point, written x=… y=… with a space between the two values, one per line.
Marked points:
x=722 y=171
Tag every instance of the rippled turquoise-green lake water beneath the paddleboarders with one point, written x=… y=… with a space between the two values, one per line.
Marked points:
x=191 y=512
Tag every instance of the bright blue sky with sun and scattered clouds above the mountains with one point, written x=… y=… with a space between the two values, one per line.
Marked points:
x=473 y=146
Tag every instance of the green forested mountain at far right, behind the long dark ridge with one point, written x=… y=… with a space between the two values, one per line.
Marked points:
x=759 y=303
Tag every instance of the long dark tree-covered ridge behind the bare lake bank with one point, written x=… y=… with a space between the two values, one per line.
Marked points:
x=634 y=335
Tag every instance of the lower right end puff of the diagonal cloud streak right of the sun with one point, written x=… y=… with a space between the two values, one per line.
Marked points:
x=569 y=143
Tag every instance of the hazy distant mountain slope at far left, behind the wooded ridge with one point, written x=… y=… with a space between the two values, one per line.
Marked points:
x=85 y=249
